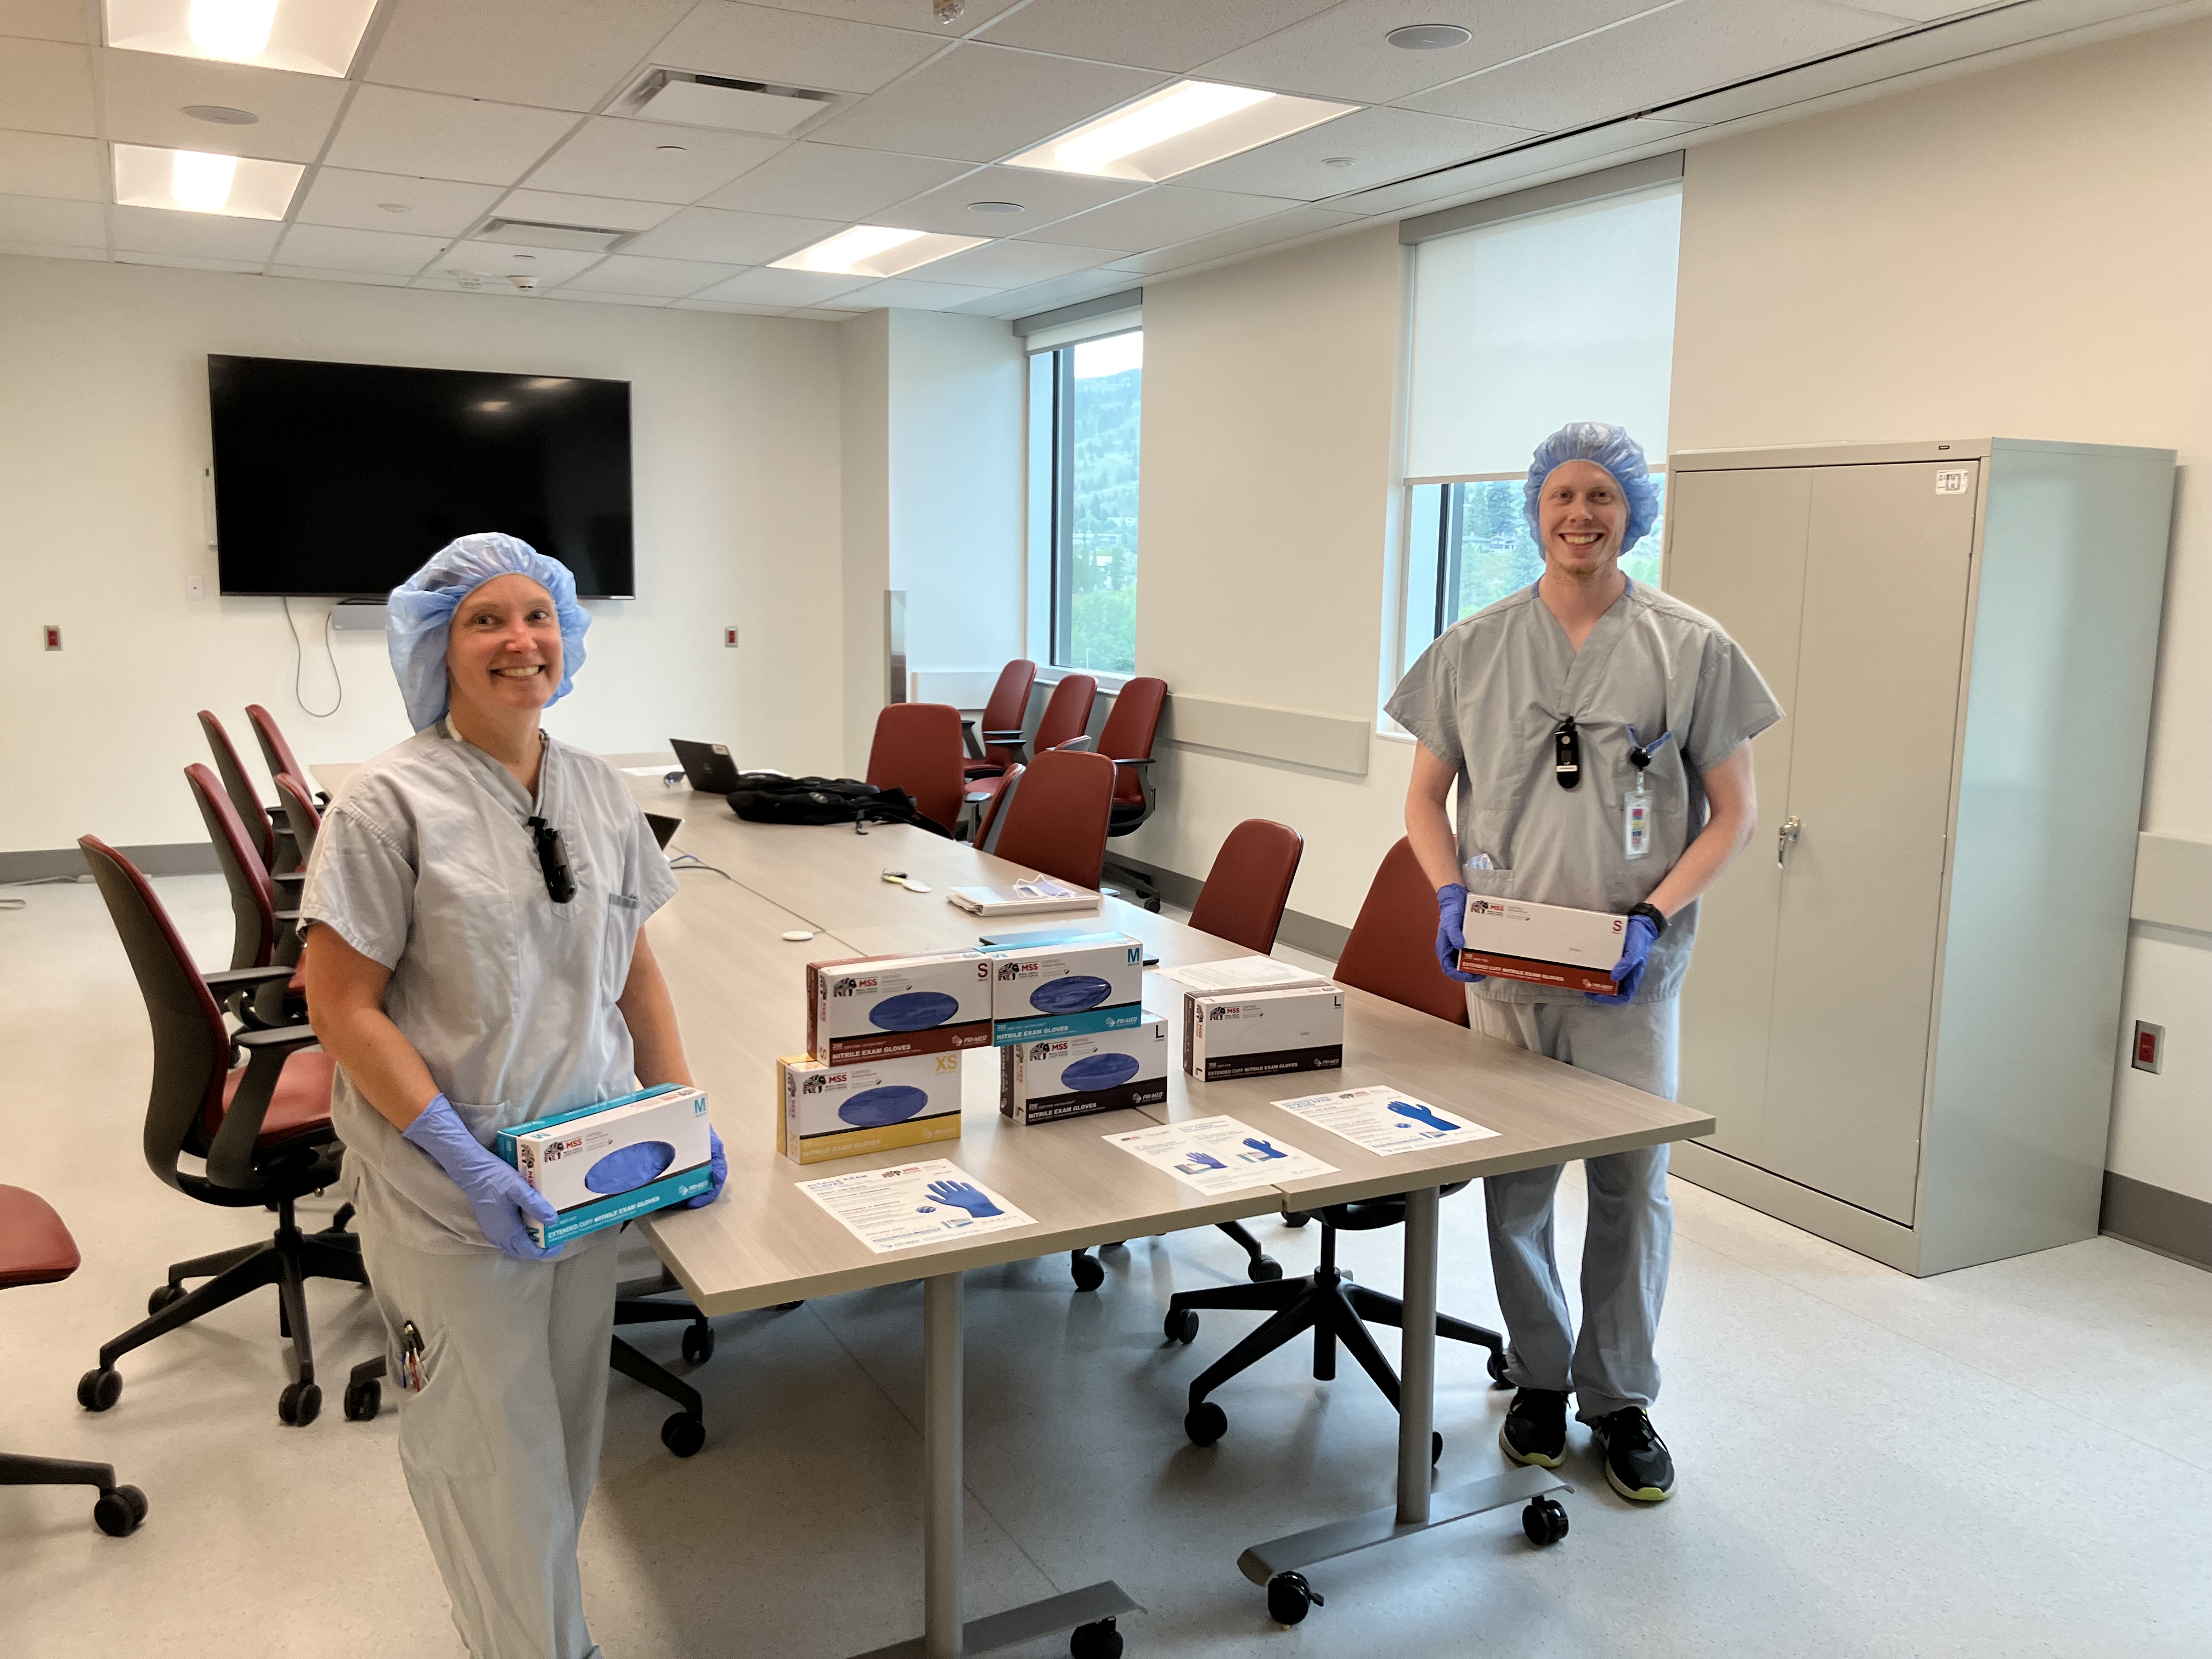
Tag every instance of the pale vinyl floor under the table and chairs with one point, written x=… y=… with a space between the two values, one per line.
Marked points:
x=2005 y=1461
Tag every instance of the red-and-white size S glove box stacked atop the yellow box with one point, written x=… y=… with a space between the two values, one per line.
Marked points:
x=881 y=1008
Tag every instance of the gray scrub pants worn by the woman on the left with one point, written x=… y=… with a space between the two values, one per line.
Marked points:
x=503 y=1441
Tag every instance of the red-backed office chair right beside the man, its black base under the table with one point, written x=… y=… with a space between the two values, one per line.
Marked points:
x=1388 y=954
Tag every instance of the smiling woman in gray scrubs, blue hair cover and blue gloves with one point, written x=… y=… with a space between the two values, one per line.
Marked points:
x=474 y=961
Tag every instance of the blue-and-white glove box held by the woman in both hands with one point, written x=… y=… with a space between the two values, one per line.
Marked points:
x=614 y=1162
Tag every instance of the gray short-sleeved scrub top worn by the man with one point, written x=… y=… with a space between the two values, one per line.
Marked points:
x=1488 y=698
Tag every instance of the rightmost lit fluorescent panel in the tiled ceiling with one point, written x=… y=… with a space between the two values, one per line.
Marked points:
x=1178 y=129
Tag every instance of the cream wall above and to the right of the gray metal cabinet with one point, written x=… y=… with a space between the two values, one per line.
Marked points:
x=2016 y=253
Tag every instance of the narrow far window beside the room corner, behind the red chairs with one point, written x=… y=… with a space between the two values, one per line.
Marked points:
x=1083 y=486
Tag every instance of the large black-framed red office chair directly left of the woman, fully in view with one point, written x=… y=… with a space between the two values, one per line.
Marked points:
x=260 y=1129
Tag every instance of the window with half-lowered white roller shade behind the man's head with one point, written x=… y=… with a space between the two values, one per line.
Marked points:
x=1519 y=328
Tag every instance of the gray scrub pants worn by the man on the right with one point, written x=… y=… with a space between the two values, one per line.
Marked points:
x=1631 y=1222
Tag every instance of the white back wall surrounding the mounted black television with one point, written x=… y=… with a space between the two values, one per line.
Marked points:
x=105 y=435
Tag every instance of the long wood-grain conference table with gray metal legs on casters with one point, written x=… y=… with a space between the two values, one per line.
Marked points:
x=740 y=992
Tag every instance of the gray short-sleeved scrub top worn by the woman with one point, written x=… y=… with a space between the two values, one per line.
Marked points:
x=426 y=864
